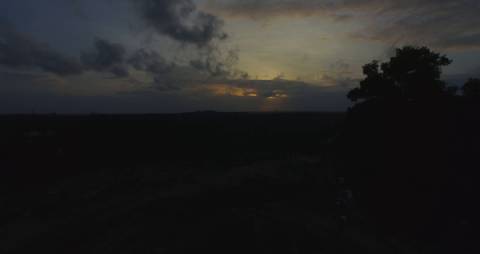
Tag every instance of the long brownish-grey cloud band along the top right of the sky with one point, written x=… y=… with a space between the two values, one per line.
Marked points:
x=450 y=24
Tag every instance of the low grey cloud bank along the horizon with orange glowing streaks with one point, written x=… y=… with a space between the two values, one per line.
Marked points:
x=27 y=93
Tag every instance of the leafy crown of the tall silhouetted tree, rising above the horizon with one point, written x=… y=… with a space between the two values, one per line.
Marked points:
x=412 y=74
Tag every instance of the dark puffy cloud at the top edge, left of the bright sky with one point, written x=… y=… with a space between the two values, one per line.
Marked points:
x=181 y=20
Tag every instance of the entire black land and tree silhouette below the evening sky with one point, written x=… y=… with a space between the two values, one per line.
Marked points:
x=397 y=173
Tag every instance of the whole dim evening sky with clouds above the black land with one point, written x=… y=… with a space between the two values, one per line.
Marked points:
x=156 y=56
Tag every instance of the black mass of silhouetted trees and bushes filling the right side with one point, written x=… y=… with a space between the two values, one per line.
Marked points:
x=408 y=151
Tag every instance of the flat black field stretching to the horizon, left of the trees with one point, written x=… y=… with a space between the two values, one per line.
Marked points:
x=219 y=182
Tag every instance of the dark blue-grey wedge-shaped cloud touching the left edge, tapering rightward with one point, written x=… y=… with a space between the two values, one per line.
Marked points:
x=18 y=51
